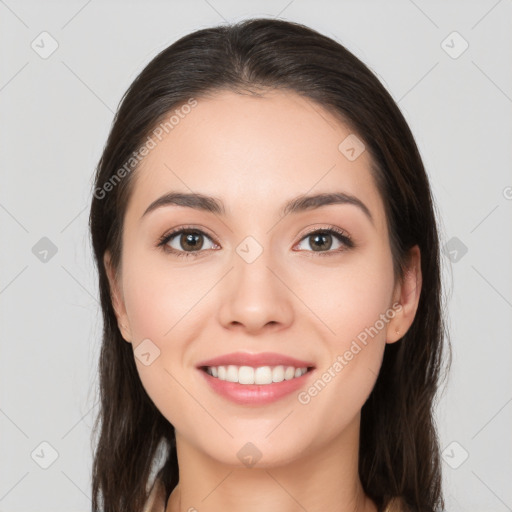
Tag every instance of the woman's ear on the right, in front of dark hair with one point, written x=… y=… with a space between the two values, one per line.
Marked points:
x=406 y=297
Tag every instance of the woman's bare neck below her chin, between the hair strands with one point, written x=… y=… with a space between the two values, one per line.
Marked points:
x=326 y=478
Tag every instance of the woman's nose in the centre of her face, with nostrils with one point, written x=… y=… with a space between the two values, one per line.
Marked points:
x=256 y=296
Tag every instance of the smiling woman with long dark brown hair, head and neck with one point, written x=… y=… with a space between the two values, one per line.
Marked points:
x=268 y=262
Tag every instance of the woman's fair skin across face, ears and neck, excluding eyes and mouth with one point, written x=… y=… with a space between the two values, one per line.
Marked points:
x=255 y=153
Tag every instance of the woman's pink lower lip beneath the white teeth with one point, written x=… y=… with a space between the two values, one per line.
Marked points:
x=255 y=394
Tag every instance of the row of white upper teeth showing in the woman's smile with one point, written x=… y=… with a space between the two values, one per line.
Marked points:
x=250 y=375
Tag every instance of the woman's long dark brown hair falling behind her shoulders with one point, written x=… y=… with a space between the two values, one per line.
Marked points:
x=399 y=451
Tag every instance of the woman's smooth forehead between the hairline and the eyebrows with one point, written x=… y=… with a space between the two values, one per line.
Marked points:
x=255 y=152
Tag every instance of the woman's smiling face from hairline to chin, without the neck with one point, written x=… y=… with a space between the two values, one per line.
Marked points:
x=313 y=284
